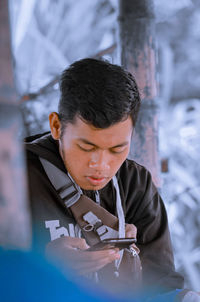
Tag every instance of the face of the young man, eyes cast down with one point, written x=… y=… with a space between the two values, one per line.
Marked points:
x=93 y=156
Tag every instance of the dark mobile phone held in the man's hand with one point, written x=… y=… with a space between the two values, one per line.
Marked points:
x=110 y=243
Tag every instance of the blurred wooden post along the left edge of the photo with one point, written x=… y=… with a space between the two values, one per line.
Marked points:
x=15 y=227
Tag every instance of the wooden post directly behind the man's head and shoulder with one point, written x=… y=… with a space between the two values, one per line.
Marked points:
x=137 y=55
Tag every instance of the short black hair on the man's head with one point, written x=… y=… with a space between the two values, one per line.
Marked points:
x=98 y=92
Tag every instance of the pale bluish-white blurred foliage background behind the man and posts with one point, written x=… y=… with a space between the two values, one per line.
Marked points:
x=48 y=35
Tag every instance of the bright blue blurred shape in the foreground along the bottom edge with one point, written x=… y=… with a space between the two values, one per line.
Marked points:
x=28 y=277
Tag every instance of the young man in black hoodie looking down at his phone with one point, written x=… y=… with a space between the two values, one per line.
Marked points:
x=90 y=140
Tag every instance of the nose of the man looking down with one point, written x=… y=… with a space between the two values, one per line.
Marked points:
x=99 y=161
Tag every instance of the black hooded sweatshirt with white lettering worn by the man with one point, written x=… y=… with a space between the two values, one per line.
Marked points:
x=141 y=202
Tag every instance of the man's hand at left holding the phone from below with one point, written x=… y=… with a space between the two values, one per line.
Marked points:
x=69 y=251
